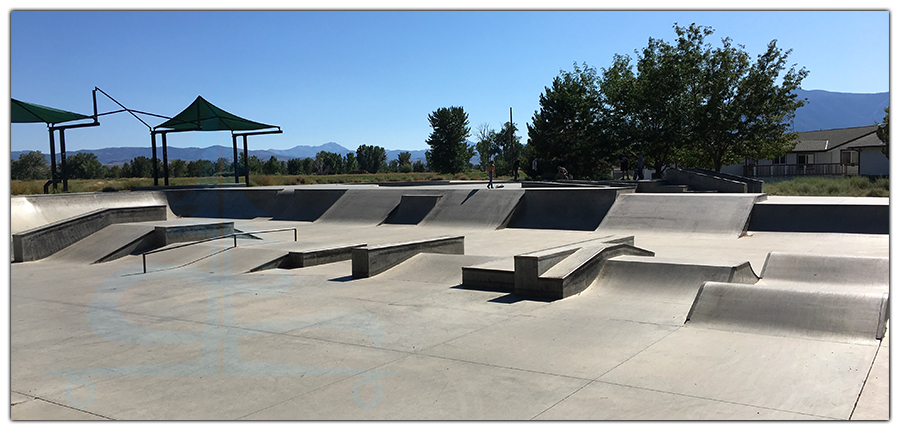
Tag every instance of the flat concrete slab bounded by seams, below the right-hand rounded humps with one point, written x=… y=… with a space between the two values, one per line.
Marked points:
x=821 y=379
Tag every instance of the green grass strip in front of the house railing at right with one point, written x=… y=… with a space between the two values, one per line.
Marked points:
x=829 y=186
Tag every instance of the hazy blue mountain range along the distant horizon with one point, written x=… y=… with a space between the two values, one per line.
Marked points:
x=824 y=110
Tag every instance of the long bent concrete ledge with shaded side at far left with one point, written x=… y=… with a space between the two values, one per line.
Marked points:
x=43 y=241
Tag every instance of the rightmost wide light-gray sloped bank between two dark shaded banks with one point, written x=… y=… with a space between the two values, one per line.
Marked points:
x=692 y=213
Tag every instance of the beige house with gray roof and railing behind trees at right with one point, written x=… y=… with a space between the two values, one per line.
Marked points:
x=840 y=151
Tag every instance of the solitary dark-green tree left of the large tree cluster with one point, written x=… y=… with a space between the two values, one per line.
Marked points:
x=450 y=153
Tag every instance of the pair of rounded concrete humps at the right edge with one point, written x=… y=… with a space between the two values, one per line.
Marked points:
x=821 y=297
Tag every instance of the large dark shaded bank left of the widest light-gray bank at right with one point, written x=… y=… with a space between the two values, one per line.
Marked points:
x=563 y=209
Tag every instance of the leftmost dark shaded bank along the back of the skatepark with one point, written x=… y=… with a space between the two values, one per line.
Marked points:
x=228 y=203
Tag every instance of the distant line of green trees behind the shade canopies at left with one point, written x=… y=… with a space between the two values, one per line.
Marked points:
x=84 y=165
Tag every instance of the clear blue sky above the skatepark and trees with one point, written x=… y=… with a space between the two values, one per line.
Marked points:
x=356 y=77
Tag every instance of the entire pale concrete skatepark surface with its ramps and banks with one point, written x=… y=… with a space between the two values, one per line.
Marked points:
x=722 y=322
